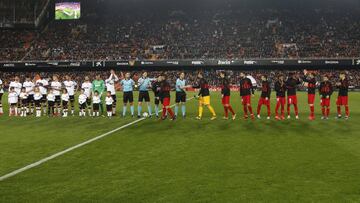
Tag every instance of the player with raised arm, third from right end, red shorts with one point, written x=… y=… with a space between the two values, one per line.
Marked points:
x=310 y=83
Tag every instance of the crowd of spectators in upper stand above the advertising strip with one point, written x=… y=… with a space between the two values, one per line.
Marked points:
x=230 y=34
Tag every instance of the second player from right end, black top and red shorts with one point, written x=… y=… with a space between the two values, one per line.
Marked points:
x=325 y=91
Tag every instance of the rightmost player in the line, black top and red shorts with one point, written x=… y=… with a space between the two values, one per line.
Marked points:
x=342 y=99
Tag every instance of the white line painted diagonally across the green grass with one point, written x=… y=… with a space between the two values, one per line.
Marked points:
x=30 y=166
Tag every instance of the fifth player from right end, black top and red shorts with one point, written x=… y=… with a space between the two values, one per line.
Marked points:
x=280 y=88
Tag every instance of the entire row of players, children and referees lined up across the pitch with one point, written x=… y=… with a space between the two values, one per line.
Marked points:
x=55 y=98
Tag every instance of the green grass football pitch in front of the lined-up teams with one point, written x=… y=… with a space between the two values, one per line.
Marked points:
x=185 y=160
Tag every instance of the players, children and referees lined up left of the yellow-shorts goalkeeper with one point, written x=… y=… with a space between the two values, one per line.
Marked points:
x=55 y=98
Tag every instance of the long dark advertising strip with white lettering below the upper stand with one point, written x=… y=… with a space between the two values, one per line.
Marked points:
x=185 y=63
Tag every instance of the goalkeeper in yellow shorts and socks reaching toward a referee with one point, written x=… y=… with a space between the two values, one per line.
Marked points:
x=204 y=97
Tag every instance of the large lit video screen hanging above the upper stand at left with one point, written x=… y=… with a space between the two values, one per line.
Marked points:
x=67 y=10
